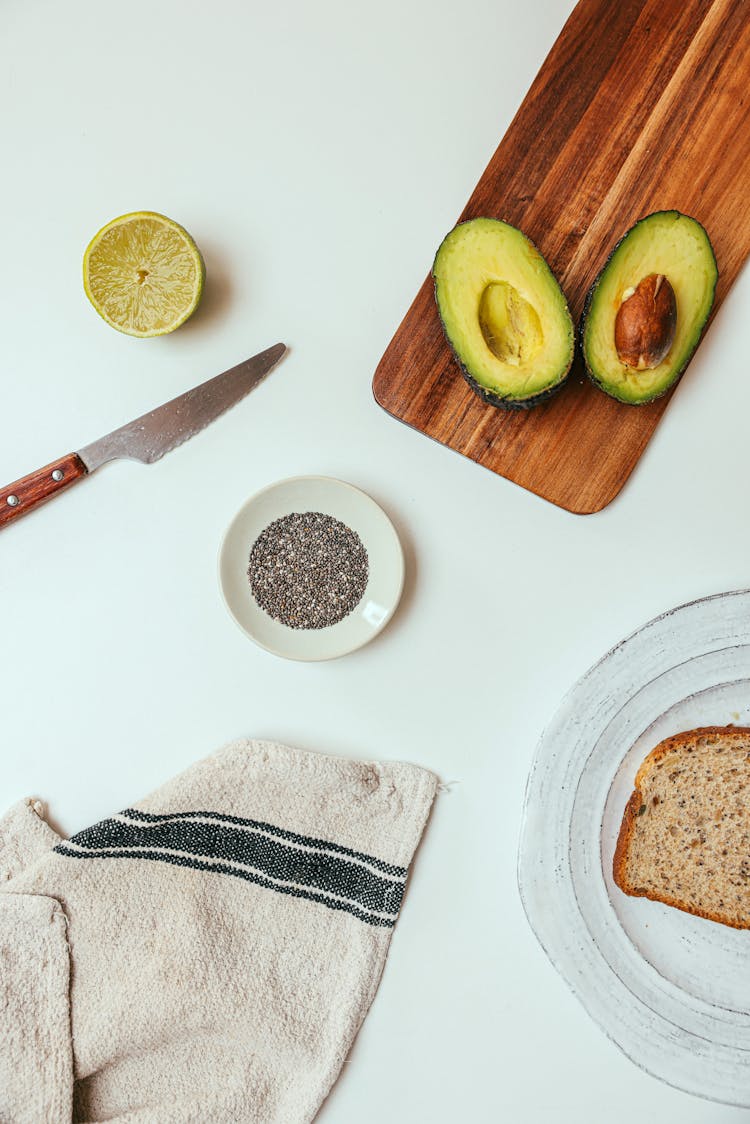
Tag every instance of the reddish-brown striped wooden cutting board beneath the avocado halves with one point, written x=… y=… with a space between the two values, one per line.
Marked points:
x=640 y=106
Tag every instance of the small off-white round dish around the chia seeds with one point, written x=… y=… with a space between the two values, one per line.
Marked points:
x=354 y=509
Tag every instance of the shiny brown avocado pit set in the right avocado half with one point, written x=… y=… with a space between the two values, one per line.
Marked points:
x=646 y=323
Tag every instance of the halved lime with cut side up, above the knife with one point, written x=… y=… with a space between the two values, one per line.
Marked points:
x=143 y=274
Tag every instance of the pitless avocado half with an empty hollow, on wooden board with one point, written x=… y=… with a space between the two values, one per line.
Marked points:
x=504 y=314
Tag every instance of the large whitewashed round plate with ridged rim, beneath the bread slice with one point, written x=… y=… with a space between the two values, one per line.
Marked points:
x=671 y=990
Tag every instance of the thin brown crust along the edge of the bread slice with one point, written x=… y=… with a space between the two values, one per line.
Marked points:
x=632 y=810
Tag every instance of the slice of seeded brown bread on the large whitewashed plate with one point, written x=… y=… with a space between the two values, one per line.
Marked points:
x=685 y=837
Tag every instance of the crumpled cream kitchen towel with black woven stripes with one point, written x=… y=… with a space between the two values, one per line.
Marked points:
x=210 y=955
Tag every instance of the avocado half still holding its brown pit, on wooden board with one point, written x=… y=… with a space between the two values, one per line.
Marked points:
x=663 y=246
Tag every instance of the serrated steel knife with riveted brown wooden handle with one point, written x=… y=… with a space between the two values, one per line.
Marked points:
x=147 y=439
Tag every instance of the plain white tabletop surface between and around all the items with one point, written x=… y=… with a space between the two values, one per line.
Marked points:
x=319 y=153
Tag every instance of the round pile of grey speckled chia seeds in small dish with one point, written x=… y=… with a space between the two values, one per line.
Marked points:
x=309 y=570
